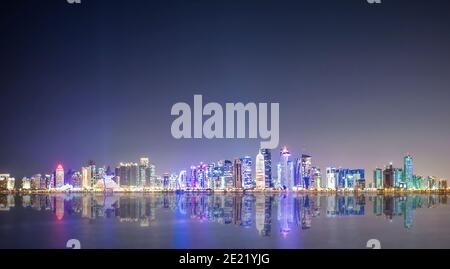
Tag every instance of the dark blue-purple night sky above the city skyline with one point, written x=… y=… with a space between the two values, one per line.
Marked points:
x=359 y=85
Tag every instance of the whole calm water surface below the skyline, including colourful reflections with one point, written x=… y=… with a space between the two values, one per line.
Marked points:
x=224 y=221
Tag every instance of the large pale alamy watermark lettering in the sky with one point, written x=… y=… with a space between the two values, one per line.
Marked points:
x=213 y=127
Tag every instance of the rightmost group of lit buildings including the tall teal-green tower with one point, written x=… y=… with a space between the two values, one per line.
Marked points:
x=393 y=178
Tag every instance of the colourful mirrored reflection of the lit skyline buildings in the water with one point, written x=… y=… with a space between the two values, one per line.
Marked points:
x=247 y=211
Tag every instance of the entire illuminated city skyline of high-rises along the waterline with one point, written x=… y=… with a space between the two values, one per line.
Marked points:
x=245 y=173
